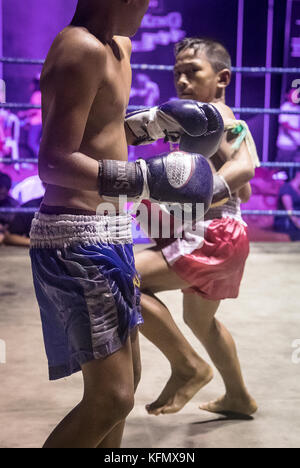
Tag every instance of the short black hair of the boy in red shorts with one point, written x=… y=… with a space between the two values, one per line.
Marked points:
x=216 y=53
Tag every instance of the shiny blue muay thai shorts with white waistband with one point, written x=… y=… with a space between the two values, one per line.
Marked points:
x=86 y=286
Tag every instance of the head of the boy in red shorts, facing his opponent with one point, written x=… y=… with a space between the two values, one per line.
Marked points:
x=202 y=69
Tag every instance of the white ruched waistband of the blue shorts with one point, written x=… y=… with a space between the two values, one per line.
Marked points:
x=59 y=231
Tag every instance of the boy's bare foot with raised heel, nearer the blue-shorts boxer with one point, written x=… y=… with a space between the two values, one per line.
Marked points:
x=180 y=389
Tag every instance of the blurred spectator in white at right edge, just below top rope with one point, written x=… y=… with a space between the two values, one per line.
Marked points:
x=288 y=141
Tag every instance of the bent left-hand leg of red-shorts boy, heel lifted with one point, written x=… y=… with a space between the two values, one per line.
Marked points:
x=189 y=372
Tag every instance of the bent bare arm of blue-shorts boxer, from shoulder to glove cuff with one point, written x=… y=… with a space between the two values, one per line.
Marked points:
x=60 y=162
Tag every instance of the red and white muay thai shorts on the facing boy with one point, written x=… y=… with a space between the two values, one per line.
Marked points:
x=212 y=263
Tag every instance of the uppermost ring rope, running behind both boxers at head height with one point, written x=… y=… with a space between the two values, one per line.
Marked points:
x=169 y=68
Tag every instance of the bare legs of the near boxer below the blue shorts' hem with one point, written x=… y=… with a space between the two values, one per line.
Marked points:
x=107 y=401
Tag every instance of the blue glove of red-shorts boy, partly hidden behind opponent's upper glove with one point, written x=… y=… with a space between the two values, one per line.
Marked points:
x=209 y=143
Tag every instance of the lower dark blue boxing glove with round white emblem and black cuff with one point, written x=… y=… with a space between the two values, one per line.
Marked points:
x=176 y=178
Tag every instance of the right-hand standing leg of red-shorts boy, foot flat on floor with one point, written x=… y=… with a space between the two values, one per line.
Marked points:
x=199 y=315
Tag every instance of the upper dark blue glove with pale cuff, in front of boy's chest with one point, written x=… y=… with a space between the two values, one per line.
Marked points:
x=174 y=119
